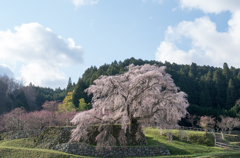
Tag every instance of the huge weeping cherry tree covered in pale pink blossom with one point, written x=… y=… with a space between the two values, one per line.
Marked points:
x=142 y=93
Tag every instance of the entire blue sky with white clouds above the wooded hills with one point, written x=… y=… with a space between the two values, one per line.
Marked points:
x=46 y=42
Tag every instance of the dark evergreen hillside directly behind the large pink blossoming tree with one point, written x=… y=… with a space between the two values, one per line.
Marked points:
x=211 y=90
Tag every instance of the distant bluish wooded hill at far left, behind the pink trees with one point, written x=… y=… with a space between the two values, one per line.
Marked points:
x=13 y=95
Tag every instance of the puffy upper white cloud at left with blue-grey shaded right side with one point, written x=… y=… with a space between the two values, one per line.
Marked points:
x=34 y=42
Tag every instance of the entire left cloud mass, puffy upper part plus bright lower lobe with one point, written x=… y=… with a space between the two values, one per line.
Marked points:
x=38 y=48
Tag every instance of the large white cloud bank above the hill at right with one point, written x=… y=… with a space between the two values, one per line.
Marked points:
x=208 y=46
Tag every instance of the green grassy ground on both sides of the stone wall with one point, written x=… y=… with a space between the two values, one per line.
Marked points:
x=24 y=148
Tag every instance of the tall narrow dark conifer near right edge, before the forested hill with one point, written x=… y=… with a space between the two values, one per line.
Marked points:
x=231 y=95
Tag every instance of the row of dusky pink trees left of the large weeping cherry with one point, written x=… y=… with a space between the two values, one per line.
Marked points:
x=19 y=119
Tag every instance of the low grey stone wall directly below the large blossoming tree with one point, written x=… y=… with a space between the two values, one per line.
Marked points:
x=86 y=150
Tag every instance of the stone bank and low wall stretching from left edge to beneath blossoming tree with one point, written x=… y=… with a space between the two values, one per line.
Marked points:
x=56 y=138
